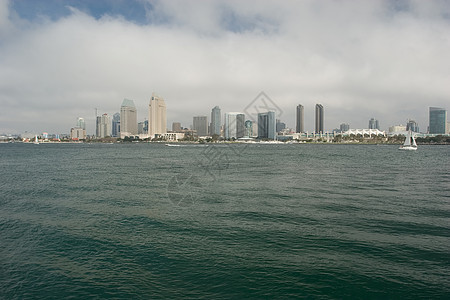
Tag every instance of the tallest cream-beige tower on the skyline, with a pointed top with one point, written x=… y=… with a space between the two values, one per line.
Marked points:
x=157 y=123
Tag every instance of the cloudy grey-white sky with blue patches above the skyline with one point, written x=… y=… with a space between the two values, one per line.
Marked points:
x=61 y=59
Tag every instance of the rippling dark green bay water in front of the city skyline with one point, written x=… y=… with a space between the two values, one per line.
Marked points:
x=148 y=221
